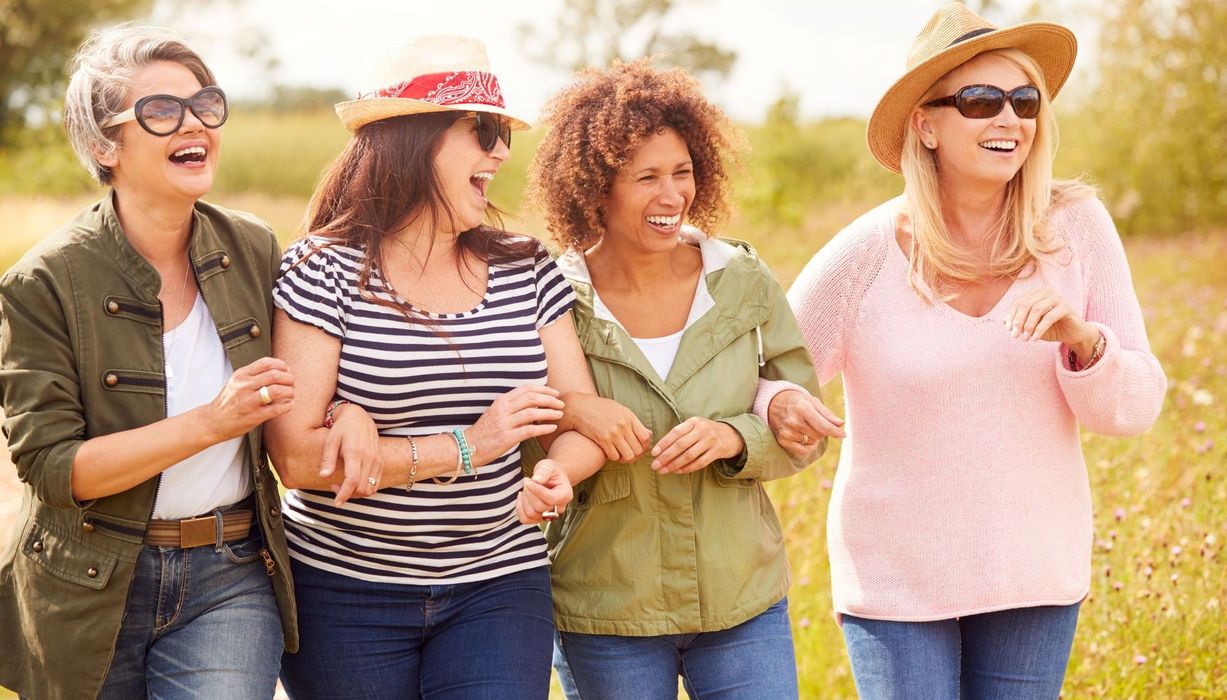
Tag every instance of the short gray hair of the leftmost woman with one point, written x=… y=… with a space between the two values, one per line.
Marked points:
x=104 y=71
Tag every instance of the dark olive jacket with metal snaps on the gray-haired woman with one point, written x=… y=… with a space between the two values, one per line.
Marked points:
x=82 y=357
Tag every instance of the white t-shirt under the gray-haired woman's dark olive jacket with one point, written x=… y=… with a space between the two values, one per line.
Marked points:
x=197 y=369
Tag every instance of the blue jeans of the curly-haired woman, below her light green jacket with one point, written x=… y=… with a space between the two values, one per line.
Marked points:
x=753 y=660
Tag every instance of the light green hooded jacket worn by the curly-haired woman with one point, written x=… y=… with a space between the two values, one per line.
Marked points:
x=640 y=554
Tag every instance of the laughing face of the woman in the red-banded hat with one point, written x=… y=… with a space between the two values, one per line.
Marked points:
x=466 y=170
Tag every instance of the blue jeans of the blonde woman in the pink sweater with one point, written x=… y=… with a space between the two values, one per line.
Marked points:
x=1019 y=654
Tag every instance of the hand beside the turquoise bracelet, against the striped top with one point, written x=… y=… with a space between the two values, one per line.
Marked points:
x=526 y=412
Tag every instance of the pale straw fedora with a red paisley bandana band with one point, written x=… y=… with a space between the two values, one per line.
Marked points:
x=435 y=73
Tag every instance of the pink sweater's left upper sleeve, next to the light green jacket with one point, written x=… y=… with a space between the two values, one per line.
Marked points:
x=829 y=290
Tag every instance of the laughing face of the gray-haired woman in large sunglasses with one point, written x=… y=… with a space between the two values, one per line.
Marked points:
x=176 y=168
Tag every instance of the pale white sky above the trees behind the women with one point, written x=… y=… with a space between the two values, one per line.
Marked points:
x=839 y=57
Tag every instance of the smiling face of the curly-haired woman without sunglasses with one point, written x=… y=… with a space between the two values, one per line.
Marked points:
x=651 y=196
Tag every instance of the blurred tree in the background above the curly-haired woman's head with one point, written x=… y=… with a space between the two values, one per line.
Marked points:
x=597 y=33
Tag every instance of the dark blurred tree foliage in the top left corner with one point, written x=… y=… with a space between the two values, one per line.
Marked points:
x=37 y=39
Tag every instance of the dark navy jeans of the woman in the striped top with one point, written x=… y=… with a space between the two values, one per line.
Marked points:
x=361 y=639
